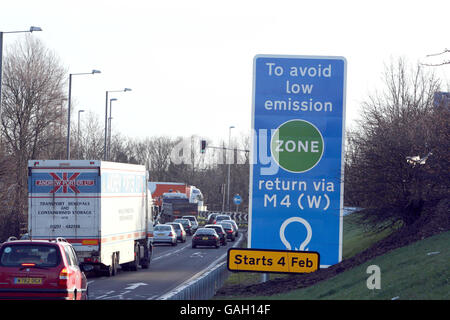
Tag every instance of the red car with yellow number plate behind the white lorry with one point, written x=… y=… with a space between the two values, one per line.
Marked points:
x=41 y=269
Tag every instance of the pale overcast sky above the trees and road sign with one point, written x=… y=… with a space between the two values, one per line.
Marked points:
x=189 y=62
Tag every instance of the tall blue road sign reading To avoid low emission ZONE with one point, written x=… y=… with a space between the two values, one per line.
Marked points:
x=296 y=178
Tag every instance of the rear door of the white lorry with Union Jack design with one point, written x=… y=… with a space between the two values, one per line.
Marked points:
x=64 y=202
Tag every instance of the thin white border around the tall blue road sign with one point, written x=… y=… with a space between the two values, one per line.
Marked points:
x=344 y=108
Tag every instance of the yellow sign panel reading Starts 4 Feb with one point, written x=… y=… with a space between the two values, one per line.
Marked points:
x=280 y=261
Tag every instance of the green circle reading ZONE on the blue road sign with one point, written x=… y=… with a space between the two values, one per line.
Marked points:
x=297 y=146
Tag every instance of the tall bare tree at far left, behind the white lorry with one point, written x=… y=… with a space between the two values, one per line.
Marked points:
x=33 y=83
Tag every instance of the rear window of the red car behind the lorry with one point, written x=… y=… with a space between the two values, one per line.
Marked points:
x=40 y=255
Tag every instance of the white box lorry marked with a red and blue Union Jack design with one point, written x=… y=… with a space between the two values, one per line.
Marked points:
x=102 y=208
